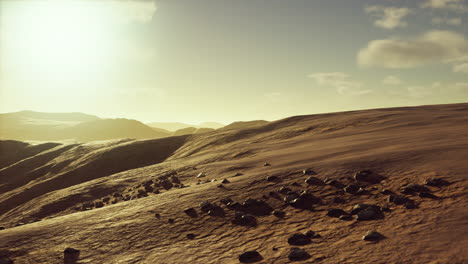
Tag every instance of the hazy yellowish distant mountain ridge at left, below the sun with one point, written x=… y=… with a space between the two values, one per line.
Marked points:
x=29 y=125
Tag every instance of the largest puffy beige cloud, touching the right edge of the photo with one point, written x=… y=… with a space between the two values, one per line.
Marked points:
x=432 y=47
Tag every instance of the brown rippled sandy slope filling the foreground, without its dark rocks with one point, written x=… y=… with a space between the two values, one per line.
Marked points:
x=404 y=145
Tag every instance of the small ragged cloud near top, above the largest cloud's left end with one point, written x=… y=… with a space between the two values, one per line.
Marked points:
x=389 y=17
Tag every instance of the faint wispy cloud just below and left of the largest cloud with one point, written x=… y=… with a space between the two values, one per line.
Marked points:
x=340 y=81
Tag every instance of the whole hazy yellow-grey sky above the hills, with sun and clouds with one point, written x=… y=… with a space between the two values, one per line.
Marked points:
x=219 y=60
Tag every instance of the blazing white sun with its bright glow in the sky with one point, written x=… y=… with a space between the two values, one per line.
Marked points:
x=55 y=39
